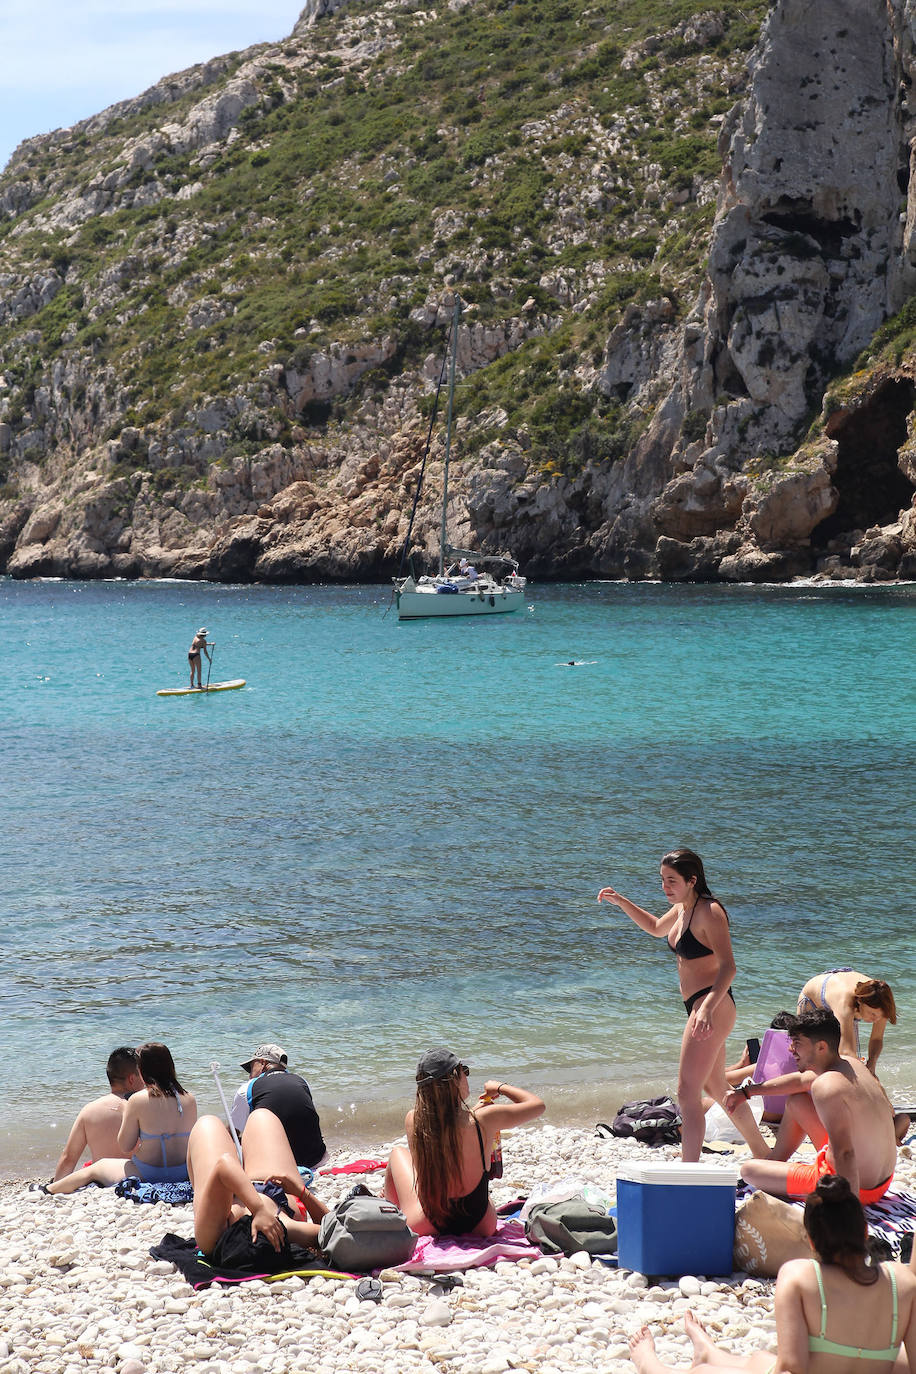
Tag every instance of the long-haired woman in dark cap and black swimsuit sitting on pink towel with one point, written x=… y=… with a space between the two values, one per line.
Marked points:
x=440 y=1181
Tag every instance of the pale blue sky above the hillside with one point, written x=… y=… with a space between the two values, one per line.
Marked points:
x=62 y=61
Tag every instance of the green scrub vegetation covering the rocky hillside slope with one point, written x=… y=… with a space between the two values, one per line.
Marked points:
x=550 y=152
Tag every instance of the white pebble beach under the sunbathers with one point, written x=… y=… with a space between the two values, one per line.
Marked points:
x=80 y=1292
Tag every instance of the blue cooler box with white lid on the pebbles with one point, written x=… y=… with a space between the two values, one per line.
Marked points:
x=675 y=1219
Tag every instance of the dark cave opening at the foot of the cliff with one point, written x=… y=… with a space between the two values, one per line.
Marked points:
x=873 y=490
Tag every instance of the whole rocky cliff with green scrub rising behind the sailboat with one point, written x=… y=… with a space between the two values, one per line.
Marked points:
x=686 y=244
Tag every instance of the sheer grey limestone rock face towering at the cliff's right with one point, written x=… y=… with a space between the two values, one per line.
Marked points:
x=808 y=258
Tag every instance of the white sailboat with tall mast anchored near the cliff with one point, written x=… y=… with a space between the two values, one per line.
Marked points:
x=468 y=583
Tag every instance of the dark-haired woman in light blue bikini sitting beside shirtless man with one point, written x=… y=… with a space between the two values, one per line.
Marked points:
x=154 y=1131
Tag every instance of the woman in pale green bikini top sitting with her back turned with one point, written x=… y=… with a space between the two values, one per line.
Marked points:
x=870 y=1310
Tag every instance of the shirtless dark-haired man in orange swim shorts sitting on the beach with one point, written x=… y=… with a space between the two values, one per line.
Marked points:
x=834 y=1101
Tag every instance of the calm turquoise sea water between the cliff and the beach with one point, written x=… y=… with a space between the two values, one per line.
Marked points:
x=395 y=835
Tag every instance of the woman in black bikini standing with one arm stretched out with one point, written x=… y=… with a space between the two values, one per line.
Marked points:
x=696 y=928
